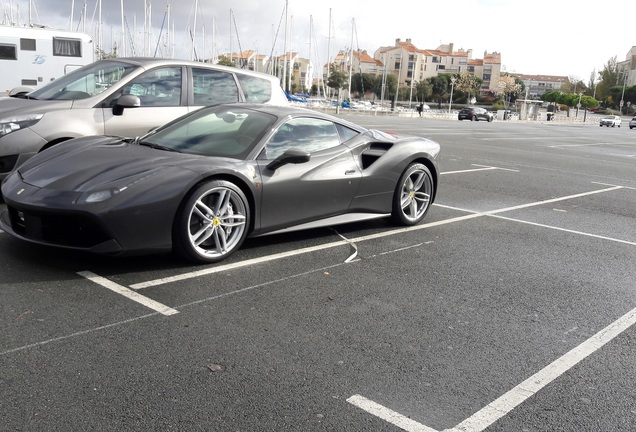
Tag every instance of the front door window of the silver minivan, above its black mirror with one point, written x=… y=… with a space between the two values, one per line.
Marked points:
x=158 y=87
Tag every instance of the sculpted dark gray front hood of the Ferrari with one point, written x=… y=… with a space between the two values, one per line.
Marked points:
x=84 y=164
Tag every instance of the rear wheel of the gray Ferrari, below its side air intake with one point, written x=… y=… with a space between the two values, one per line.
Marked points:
x=413 y=195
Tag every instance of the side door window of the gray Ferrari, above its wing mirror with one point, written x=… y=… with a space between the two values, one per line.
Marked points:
x=306 y=134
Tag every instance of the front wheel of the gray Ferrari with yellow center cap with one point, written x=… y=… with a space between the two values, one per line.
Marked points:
x=212 y=222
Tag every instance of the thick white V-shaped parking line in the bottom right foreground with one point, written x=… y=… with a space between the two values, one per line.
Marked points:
x=519 y=394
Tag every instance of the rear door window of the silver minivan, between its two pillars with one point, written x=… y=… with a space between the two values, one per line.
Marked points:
x=213 y=87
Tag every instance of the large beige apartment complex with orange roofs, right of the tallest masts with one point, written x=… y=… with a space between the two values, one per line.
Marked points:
x=409 y=63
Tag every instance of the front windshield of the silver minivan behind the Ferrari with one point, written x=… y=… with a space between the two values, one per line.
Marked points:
x=84 y=82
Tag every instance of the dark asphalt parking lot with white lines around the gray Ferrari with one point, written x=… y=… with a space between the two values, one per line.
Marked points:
x=509 y=309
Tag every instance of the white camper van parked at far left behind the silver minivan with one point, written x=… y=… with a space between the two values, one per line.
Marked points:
x=33 y=56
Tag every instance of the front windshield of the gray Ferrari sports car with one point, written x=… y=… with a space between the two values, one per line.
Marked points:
x=215 y=131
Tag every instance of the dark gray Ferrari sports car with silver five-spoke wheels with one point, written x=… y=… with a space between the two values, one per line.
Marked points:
x=204 y=182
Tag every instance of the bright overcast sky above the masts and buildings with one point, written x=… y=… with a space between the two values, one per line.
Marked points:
x=548 y=37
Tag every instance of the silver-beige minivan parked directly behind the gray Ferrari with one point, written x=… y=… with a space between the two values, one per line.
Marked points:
x=126 y=96
